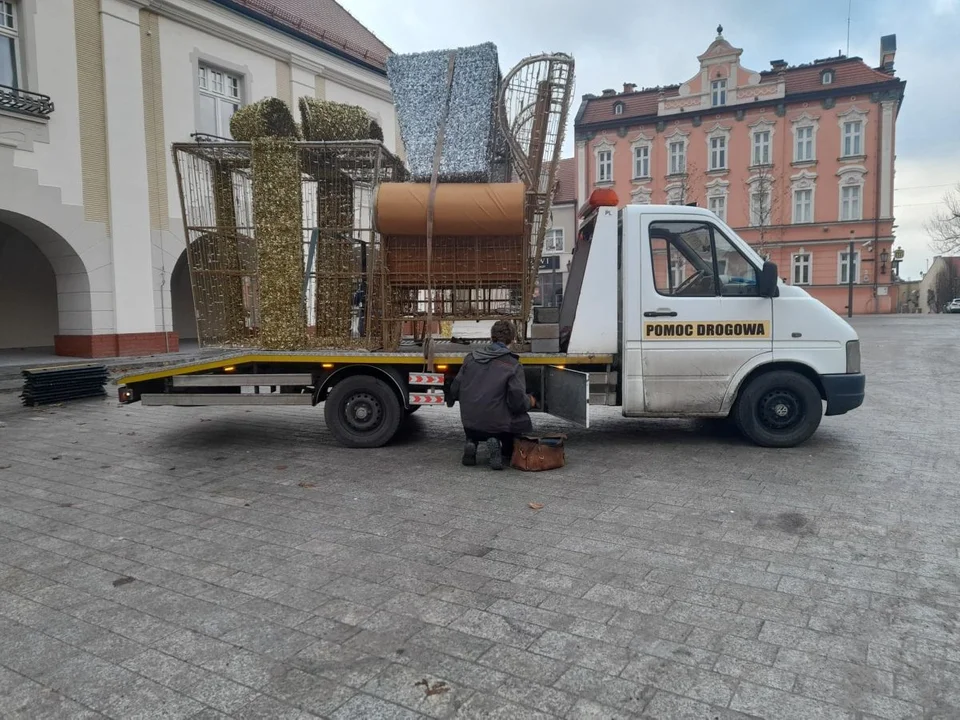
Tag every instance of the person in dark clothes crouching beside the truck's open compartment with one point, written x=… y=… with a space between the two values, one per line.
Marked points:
x=492 y=391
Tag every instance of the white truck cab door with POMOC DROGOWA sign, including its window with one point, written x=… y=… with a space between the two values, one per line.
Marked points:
x=701 y=316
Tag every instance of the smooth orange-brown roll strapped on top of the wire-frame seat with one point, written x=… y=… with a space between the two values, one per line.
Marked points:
x=460 y=209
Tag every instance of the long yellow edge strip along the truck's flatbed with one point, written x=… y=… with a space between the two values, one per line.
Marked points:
x=384 y=359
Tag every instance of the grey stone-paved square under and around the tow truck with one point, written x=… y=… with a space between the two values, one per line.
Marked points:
x=202 y=563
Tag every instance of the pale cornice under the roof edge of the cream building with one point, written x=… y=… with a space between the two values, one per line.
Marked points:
x=254 y=38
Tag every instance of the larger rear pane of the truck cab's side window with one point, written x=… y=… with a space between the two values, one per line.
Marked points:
x=682 y=259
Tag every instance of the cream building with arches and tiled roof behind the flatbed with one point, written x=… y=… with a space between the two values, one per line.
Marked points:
x=92 y=95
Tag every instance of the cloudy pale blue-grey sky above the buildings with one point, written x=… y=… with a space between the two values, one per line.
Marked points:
x=620 y=41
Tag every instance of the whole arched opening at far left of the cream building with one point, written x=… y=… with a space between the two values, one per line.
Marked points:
x=44 y=286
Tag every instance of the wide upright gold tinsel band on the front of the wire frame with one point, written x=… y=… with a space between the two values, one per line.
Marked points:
x=277 y=218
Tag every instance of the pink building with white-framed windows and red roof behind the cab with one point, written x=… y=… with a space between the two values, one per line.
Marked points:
x=798 y=160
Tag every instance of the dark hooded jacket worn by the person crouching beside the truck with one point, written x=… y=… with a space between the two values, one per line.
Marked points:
x=492 y=392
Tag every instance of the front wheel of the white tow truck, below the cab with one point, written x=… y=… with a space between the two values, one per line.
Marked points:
x=778 y=409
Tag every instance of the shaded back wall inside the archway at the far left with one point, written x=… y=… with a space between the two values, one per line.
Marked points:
x=28 y=293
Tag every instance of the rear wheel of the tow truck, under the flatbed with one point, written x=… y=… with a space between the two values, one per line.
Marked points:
x=362 y=412
